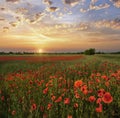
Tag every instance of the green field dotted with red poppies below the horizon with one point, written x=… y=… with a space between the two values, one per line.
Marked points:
x=60 y=87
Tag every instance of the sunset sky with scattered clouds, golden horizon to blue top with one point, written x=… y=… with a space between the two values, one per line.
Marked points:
x=59 y=25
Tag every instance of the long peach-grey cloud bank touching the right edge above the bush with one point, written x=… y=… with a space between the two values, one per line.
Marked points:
x=113 y=24
